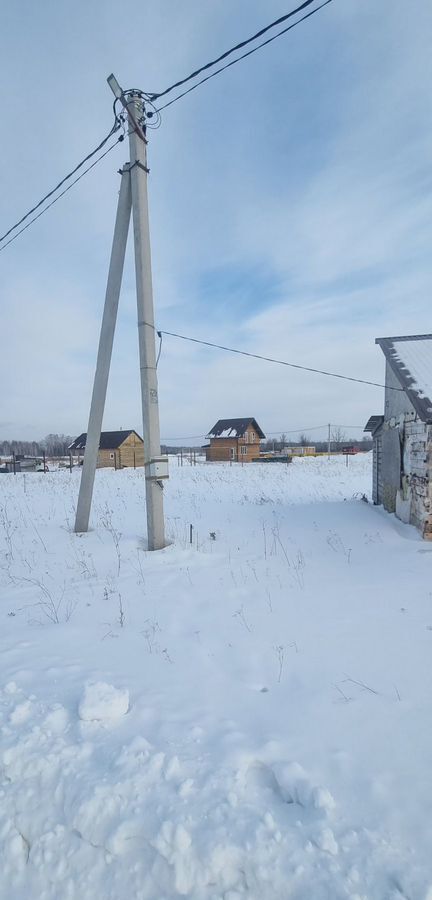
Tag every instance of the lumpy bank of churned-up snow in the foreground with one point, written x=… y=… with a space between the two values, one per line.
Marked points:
x=138 y=817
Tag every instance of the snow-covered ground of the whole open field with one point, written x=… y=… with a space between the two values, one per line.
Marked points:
x=244 y=717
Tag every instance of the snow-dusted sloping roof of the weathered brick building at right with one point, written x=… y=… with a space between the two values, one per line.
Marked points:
x=410 y=359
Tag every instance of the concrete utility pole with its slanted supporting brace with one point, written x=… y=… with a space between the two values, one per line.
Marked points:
x=133 y=194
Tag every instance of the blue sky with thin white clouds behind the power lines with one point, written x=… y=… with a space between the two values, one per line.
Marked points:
x=290 y=207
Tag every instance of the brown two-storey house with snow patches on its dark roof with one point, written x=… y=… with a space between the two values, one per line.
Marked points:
x=234 y=440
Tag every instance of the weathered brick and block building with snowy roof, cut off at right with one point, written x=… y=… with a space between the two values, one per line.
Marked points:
x=402 y=437
